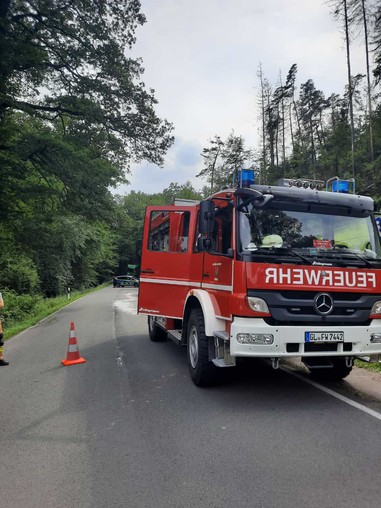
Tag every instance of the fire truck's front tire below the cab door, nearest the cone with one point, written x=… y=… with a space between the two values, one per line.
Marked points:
x=203 y=372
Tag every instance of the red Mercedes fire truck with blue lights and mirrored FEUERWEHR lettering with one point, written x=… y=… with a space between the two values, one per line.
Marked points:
x=275 y=272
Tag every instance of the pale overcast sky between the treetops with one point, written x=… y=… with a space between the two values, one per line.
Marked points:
x=202 y=57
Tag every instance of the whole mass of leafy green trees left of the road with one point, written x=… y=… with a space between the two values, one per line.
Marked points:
x=74 y=113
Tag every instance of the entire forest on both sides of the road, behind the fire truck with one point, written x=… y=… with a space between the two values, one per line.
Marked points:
x=74 y=114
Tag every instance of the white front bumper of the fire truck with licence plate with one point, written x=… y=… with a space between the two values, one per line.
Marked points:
x=289 y=341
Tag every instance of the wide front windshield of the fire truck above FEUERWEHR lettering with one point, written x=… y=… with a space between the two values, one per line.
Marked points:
x=328 y=232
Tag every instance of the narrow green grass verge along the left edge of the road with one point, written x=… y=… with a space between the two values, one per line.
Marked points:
x=44 y=308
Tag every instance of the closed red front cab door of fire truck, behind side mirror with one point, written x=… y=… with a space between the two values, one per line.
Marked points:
x=218 y=261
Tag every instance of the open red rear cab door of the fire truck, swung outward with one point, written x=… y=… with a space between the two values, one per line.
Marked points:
x=170 y=267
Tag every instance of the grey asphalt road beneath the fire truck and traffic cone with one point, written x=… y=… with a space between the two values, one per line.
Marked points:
x=129 y=429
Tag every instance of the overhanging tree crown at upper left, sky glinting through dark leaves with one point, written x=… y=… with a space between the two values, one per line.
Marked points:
x=66 y=59
